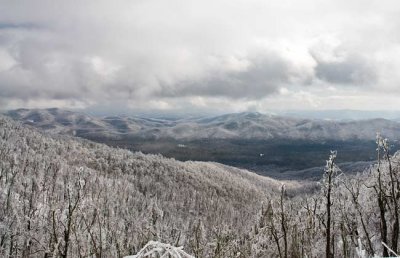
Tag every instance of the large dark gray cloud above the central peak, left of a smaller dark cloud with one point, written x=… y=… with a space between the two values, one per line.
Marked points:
x=265 y=74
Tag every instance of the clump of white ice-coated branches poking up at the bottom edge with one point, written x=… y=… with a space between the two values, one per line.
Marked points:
x=154 y=249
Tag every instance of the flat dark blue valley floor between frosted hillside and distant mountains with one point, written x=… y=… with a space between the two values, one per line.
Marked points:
x=281 y=159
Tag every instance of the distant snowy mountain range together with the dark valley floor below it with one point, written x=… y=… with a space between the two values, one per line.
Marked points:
x=269 y=145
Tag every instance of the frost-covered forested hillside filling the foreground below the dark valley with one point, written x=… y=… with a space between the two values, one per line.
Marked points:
x=65 y=197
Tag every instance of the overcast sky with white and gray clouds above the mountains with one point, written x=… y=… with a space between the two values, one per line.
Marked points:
x=200 y=56
